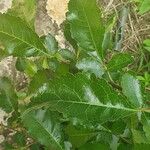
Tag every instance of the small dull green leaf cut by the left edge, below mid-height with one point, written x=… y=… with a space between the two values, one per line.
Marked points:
x=8 y=97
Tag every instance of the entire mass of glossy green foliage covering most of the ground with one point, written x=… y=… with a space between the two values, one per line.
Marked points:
x=79 y=99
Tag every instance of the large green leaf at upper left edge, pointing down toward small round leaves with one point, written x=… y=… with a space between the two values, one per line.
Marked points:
x=18 y=38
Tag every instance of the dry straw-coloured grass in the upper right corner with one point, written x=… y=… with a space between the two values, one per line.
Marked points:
x=137 y=27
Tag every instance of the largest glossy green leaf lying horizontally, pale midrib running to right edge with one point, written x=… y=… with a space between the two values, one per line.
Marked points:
x=88 y=100
